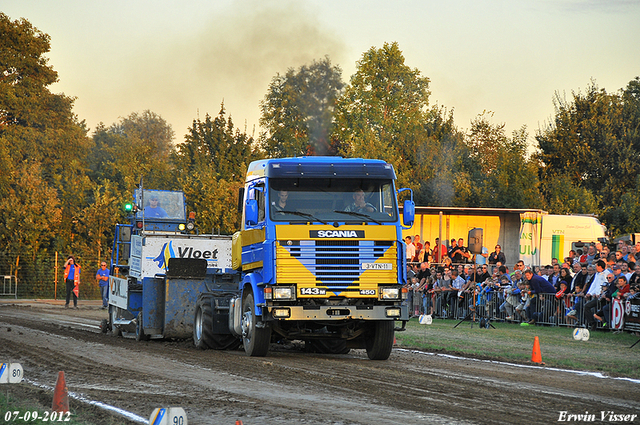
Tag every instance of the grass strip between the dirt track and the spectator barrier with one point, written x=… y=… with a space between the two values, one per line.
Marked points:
x=605 y=352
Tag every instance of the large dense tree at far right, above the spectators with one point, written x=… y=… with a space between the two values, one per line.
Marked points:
x=592 y=150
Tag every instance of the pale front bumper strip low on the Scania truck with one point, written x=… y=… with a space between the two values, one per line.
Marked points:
x=377 y=312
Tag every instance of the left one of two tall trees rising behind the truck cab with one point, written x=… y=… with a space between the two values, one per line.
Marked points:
x=297 y=111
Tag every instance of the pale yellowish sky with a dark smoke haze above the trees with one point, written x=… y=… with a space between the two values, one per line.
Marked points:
x=184 y=59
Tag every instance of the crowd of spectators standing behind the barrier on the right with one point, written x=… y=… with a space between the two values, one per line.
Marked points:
x=451 y=282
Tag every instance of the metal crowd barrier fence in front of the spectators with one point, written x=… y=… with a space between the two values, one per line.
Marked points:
x=546 y=309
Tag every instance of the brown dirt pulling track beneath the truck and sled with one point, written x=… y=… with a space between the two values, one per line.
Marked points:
x=288 y=386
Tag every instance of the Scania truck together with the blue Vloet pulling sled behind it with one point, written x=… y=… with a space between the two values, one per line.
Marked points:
x=319 y=258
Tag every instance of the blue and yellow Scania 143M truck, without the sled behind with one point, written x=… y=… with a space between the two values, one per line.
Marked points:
x=319 y=258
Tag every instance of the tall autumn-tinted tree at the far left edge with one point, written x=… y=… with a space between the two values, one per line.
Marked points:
x=37 y=127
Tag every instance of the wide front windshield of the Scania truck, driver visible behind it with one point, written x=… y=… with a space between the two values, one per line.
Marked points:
x=324 y=200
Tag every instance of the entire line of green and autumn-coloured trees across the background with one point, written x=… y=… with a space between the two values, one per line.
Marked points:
x=62 y=186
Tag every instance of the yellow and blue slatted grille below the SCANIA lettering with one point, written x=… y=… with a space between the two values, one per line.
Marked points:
x=334 y=263
